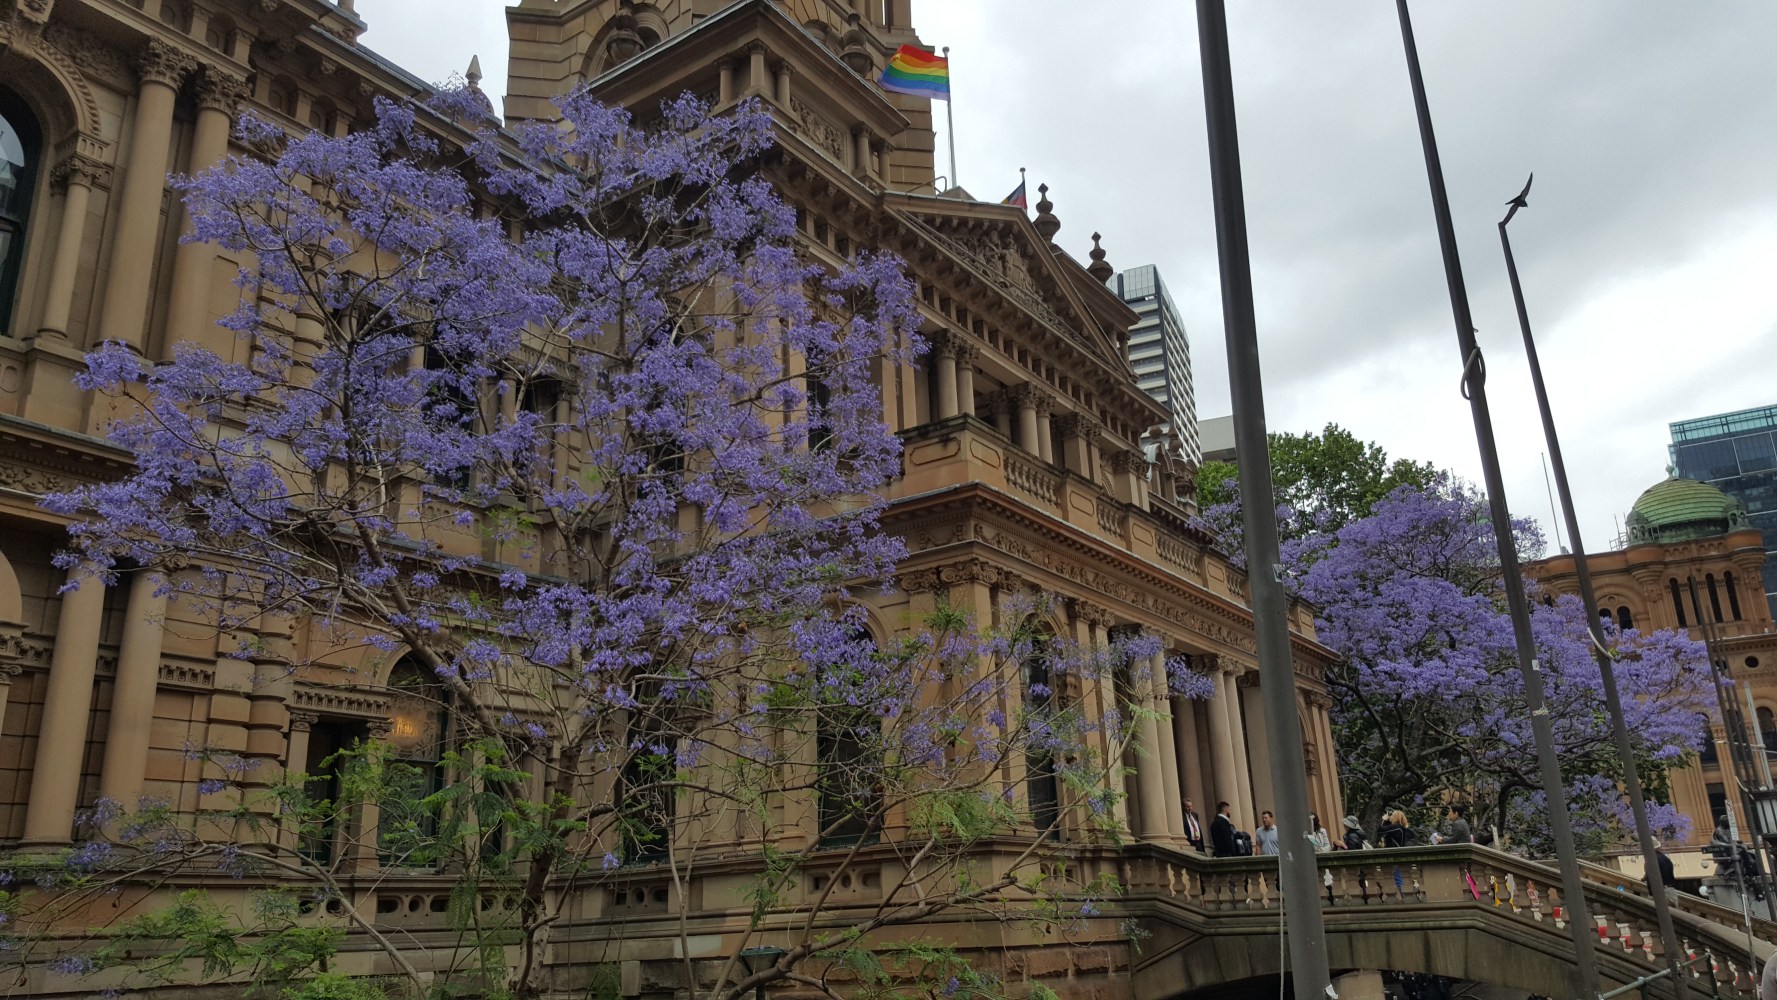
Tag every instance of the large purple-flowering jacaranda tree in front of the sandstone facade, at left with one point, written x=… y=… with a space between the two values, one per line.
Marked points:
x=566 y=427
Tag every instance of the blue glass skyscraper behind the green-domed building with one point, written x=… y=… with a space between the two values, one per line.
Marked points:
x=1739 y=456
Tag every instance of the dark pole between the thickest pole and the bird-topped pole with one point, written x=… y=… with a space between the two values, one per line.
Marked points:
x=1474 y=386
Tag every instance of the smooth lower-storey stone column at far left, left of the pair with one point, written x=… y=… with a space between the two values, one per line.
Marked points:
x=67 y=711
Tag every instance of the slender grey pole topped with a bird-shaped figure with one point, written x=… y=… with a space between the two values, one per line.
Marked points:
x=1607 y=667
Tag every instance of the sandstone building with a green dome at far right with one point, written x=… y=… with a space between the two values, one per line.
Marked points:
x=1694 y=562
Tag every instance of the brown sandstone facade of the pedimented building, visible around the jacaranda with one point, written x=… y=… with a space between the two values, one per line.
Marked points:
x=1024 y=466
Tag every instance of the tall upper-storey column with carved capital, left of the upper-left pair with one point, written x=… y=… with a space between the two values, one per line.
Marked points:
x=145 y=182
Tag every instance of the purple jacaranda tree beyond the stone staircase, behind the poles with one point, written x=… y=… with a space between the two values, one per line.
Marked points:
x=1430 y=702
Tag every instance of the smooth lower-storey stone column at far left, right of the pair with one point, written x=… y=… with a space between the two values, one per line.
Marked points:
x=132 y=715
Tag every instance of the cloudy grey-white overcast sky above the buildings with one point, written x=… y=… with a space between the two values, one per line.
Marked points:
x=1648 y=253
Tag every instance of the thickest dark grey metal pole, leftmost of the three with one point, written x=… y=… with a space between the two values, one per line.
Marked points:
x=1289 y=772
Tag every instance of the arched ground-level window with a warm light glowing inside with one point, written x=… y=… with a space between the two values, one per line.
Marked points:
x=418 y=740
